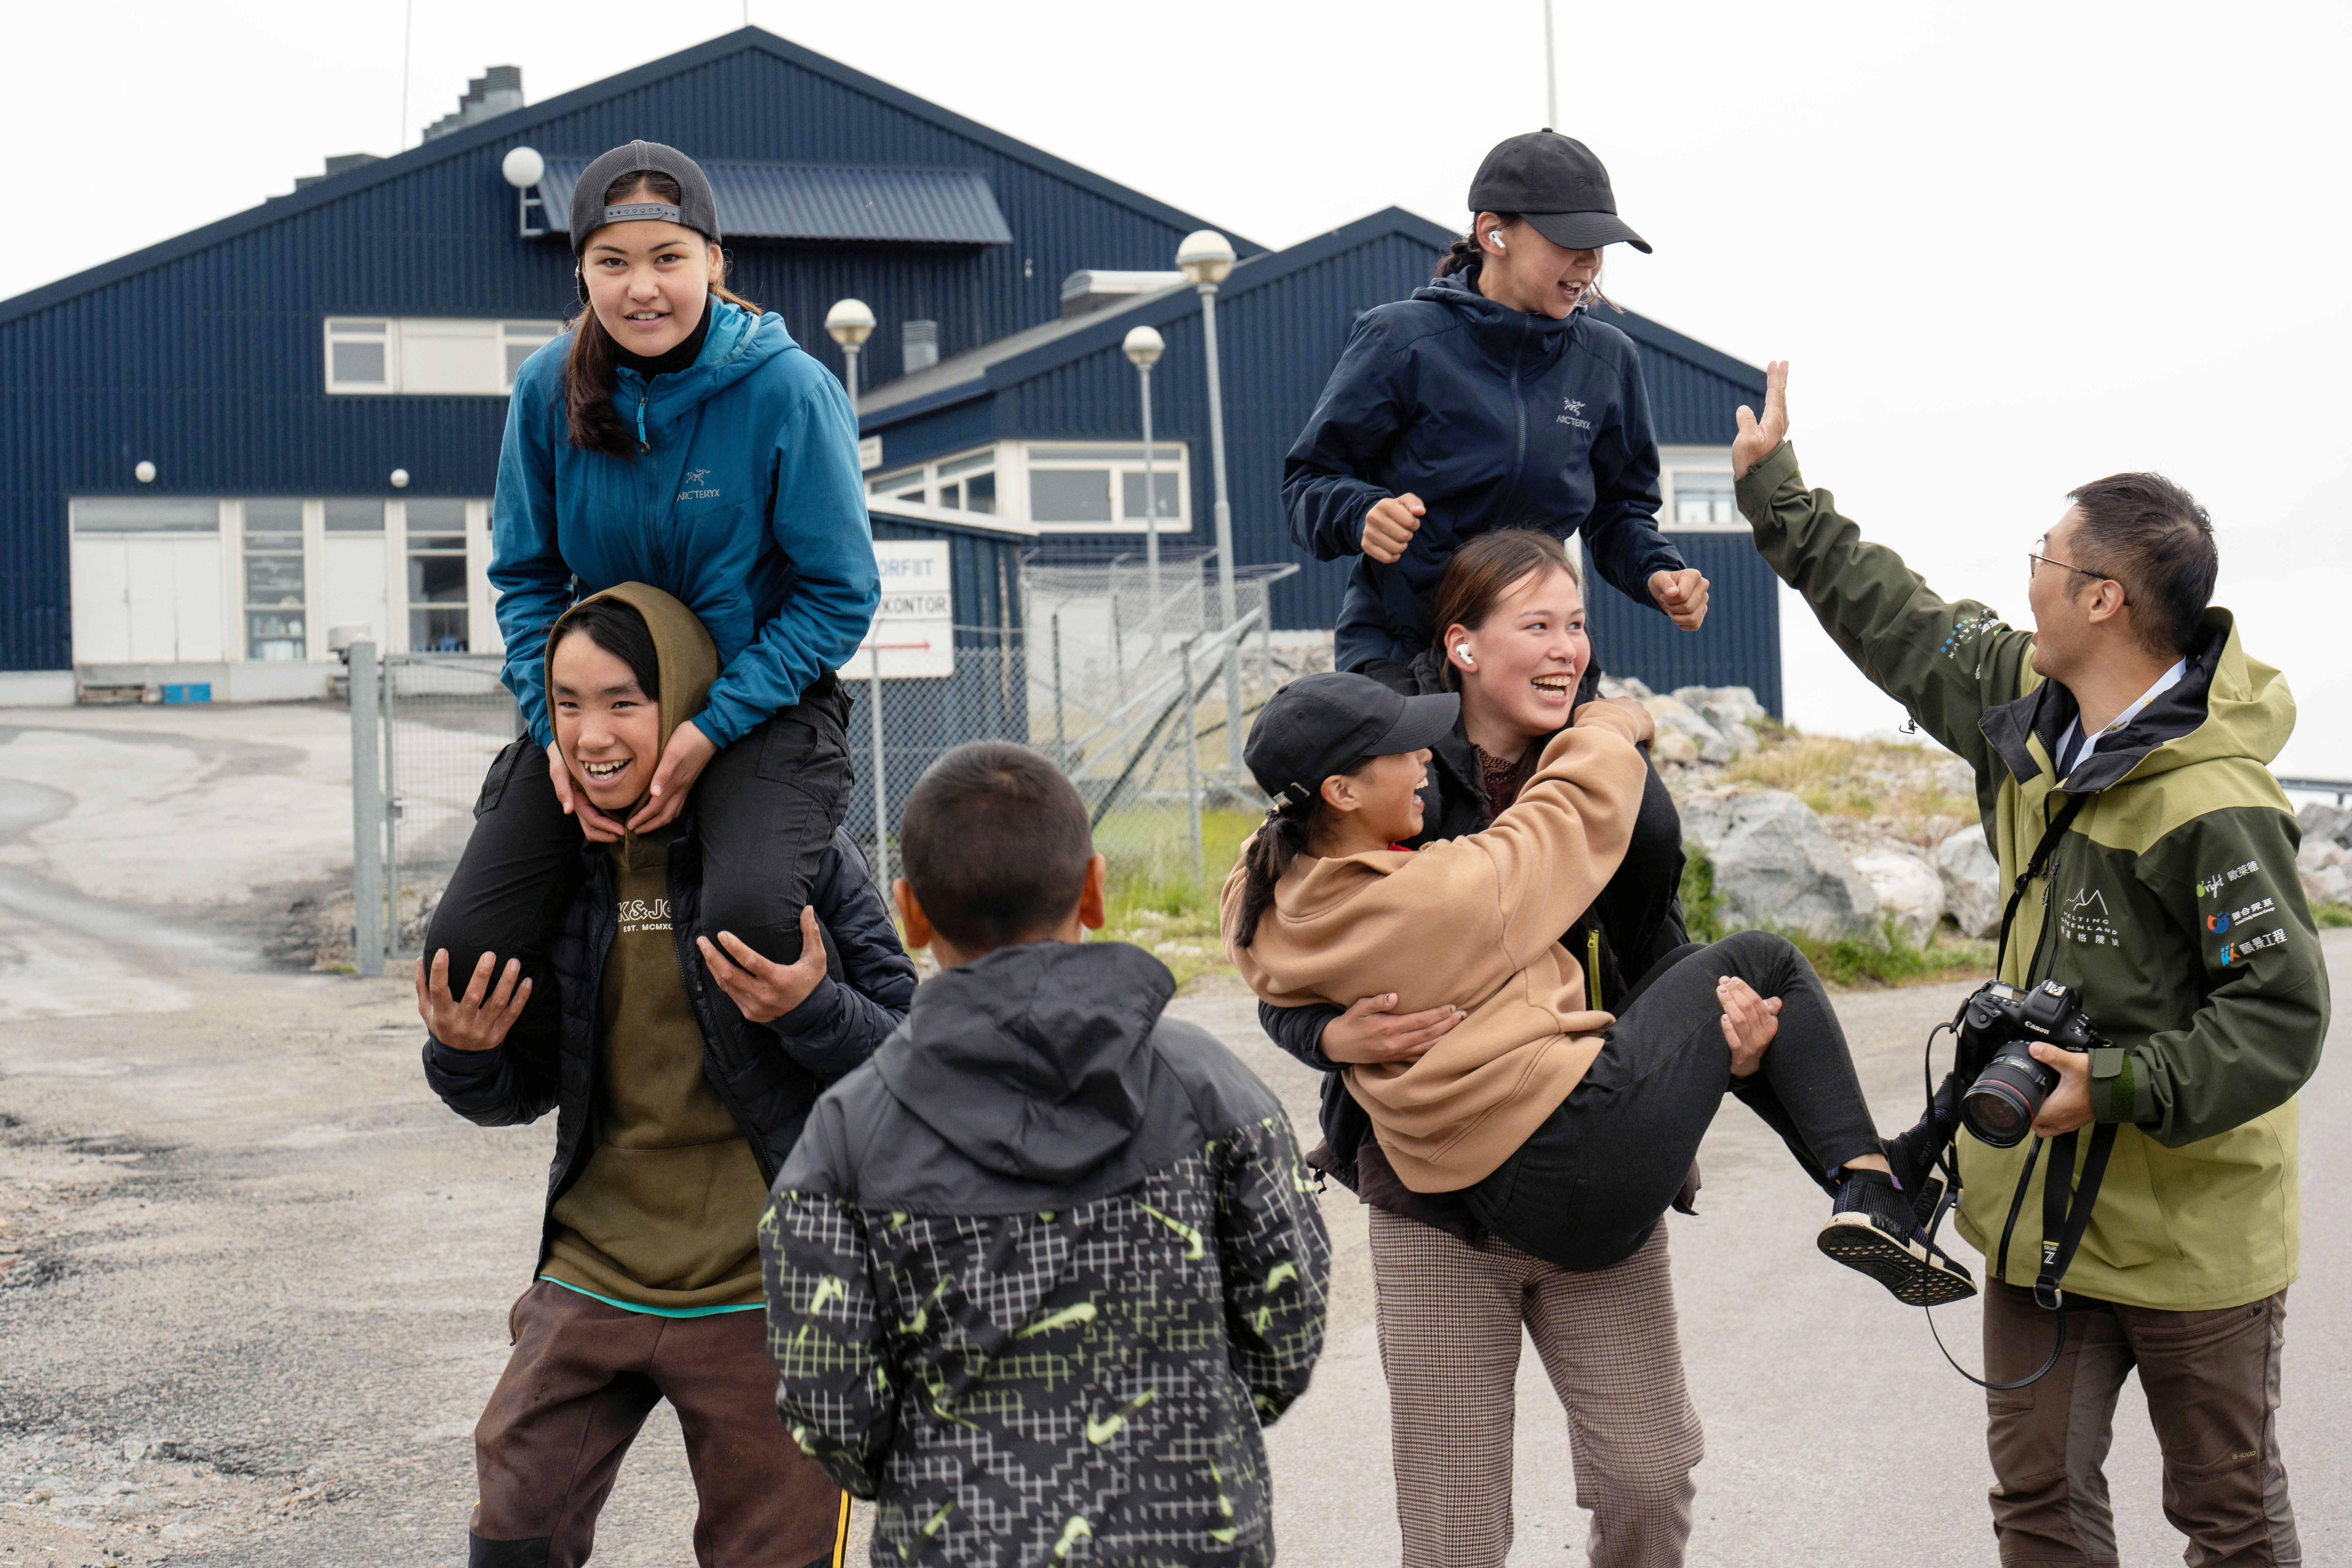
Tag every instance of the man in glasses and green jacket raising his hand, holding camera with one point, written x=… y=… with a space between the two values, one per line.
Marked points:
x=2172 y=904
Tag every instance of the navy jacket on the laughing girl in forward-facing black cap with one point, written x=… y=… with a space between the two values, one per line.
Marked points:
x=1495 y=420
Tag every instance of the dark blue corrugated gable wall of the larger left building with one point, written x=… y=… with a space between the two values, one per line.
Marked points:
x=211 y=366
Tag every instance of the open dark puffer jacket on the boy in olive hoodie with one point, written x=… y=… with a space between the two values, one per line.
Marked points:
x=768 y=1076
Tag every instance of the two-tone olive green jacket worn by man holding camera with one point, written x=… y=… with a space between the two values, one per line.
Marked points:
x=2172 y=906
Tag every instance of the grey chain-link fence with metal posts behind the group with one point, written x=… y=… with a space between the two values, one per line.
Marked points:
x=1130 y=681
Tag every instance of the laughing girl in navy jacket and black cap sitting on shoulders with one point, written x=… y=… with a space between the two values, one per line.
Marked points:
x=1488 y=401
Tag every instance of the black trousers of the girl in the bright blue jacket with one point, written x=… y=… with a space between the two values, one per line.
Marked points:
x=766 y=812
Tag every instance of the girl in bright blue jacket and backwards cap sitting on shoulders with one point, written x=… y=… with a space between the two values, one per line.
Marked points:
x=679 y=438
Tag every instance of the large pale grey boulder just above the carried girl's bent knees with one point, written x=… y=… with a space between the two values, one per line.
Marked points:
x=1775 y=866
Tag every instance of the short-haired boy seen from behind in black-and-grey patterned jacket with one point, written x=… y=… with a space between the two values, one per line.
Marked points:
x=1041 y=1271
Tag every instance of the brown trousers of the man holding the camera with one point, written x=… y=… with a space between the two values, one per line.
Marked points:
x=2212 y=1386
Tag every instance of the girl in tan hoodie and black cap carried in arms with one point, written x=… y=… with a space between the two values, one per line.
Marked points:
x=1565 y=1130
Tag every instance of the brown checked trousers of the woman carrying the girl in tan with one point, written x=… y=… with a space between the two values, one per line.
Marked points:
x=1450 y=1346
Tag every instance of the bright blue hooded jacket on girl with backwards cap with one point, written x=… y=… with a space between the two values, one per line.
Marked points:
x=747 y=507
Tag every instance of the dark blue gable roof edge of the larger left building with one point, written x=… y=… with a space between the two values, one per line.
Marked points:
x=516 y=126
